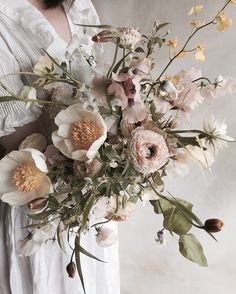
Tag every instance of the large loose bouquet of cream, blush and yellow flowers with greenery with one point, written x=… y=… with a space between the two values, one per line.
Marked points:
x=115 y=137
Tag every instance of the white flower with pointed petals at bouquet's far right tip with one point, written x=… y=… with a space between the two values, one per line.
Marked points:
x=217 y=131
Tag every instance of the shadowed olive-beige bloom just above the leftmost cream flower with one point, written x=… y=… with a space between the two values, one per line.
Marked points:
x=35 y=141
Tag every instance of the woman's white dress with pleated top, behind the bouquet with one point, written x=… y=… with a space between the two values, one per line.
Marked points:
x=24 y=31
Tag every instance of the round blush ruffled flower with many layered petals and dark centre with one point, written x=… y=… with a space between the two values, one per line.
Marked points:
x=147 y=150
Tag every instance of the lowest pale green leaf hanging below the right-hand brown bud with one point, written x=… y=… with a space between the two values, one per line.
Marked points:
x=191 y=249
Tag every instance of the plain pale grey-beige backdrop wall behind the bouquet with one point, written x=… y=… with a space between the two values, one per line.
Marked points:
x=146 y=268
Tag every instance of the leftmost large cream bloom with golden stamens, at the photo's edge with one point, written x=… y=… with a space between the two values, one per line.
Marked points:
x=23 y=177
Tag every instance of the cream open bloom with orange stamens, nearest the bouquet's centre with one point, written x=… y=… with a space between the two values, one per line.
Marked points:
x=80 y=133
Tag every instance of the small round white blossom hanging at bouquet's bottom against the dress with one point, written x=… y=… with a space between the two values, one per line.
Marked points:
x=106 y=237
